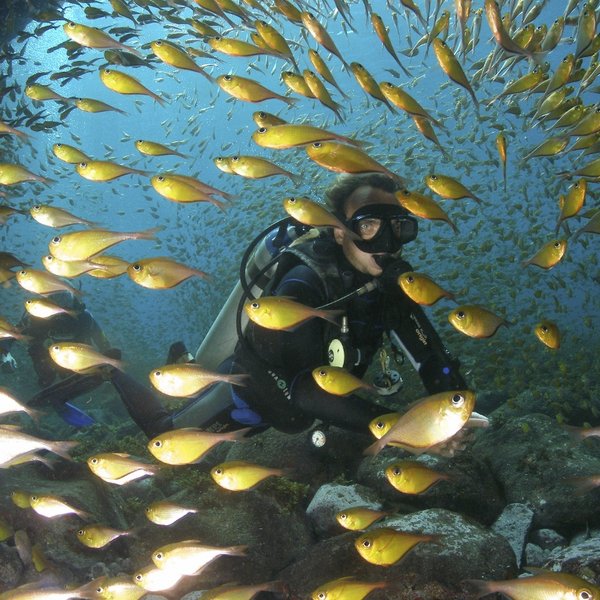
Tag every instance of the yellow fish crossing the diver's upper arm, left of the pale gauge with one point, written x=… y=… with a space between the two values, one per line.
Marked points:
x=279 y=312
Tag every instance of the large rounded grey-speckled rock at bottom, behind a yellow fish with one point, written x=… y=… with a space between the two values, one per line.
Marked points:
x=465 y=550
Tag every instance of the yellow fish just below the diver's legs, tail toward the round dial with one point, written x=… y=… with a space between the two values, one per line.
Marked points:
x=189 y=444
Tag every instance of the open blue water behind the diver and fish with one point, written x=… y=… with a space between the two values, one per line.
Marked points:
x=481 y=264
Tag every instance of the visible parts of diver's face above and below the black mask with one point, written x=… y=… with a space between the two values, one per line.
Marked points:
x=362 y=196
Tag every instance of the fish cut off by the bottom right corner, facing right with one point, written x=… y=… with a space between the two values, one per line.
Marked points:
x=544 y=585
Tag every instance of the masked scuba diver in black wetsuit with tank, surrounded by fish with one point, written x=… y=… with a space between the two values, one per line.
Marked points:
x=356 y=273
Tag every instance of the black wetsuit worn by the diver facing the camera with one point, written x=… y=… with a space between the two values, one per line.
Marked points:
x=282 y=390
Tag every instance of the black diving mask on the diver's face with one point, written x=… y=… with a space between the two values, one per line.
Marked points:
x=382 y=228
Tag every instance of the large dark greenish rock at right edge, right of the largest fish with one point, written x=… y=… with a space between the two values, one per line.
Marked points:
x=535 y=461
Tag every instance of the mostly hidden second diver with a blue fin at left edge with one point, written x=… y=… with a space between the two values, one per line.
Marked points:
x=73 y=323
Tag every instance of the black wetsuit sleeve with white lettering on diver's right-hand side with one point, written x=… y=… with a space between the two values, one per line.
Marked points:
x=411 y=331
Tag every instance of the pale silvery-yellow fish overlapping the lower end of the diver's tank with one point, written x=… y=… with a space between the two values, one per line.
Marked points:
x=184 y=380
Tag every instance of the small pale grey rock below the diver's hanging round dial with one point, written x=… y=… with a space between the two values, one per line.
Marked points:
x=330 y=499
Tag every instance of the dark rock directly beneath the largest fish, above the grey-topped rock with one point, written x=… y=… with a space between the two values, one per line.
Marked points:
x=471 y=489
